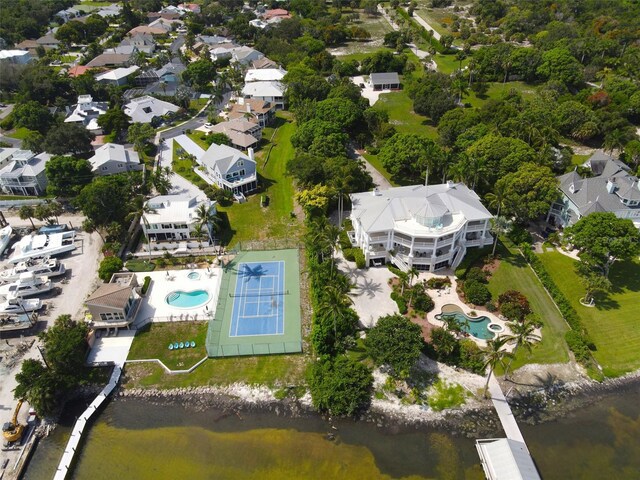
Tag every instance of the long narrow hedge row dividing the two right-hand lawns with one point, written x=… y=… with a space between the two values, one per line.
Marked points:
x=577 y=339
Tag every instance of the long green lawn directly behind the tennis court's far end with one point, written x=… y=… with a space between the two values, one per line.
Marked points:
x=250 y=221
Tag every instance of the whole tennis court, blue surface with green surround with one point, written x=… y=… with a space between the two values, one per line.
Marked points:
x=258 y=311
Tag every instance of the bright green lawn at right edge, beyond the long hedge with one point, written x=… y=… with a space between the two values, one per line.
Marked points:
x=613 y=324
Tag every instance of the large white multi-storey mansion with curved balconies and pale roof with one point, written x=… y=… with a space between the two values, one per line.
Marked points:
x=429 y=228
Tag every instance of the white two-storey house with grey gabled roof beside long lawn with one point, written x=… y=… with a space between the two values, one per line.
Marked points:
x=229 y=168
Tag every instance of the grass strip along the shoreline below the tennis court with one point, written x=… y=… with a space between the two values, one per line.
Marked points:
x=271 y=370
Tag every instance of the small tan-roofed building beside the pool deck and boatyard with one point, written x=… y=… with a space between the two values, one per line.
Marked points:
x=114 y=304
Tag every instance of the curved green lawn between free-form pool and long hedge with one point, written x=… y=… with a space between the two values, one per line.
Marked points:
x=514 y=274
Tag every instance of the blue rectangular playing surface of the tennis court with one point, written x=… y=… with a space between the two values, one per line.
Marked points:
x=258 y=304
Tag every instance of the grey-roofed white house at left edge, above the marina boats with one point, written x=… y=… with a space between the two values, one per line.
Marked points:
x=23 y=172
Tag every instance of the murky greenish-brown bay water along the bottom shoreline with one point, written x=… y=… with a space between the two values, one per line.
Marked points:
x=133 y=440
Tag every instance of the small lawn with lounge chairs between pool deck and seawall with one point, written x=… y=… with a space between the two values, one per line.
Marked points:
x=153 y=341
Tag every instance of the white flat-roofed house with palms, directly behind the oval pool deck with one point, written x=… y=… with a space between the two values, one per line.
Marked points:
x=174 y=217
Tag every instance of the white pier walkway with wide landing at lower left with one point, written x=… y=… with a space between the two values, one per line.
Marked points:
x=106 y=350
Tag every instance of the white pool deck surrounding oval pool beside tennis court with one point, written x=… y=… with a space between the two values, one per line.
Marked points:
x=166 y=281
